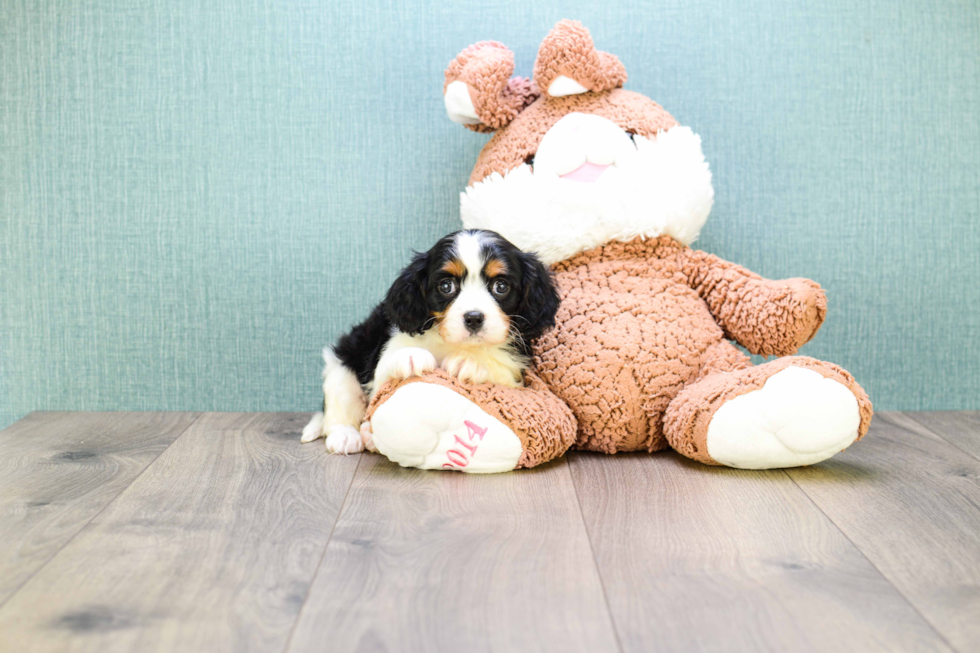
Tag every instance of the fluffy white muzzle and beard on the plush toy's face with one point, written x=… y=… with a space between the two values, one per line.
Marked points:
x=638 y=187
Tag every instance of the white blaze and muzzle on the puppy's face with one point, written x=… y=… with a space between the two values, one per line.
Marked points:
x=474 y=295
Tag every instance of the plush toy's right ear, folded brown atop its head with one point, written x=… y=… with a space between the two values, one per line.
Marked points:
x=568 y=63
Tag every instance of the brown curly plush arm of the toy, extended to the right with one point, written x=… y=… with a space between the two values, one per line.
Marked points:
x=771 y=318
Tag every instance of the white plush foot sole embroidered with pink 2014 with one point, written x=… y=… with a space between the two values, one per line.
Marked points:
x=430 y=426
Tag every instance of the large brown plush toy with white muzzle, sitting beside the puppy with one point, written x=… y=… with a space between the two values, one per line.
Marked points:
x=607 y=188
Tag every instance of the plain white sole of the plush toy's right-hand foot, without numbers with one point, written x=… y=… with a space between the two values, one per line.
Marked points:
x=799 y=417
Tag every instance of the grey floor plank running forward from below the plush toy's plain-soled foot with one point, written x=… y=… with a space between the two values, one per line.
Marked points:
x=699 y=558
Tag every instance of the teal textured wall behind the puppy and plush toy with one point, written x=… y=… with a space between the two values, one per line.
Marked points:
x=196 y=196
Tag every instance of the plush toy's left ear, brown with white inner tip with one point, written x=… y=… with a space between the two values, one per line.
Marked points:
x=479 y=91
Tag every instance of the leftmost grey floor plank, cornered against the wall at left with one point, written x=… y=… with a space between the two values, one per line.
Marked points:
x=58 y=470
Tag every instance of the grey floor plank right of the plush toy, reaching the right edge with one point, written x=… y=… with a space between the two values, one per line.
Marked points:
x=911 y=502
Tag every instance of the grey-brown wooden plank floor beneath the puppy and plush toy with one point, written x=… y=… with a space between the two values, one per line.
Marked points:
x=220 y=532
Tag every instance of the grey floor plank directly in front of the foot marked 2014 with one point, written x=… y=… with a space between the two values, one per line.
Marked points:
x=424 y=561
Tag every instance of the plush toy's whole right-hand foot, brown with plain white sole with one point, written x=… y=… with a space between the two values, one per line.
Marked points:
x=788 y=413
